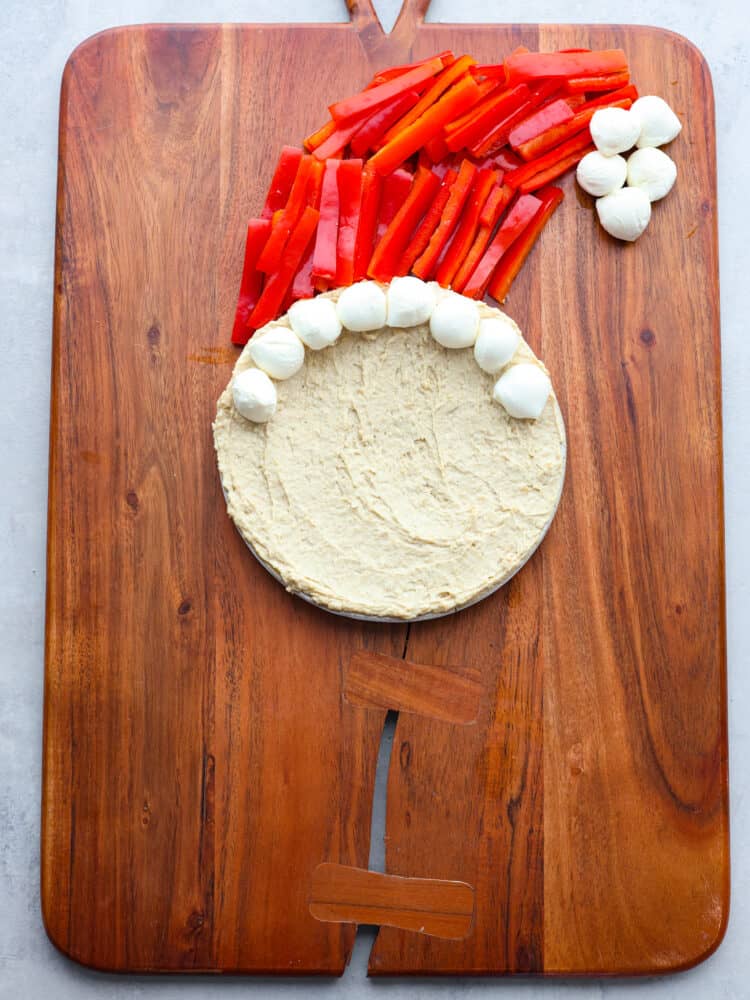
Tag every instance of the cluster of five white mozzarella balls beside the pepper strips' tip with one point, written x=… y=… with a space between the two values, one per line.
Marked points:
x=624 y=212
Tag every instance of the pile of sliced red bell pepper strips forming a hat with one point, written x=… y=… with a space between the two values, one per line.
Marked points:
x=440 y=169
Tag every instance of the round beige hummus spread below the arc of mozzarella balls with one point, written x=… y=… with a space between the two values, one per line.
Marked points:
x=389 y=484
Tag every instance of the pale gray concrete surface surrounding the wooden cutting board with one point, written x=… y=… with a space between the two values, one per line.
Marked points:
x=37 y=36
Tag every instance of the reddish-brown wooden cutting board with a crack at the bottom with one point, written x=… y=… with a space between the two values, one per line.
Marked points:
x=210 y=741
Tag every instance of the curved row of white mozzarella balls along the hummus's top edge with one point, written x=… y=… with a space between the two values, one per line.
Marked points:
x=455 y=322
